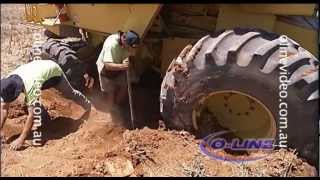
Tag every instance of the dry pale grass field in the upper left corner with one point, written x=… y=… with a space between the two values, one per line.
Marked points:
x=16 y=37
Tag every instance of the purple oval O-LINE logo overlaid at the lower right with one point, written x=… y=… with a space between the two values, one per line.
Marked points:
x=215 y=147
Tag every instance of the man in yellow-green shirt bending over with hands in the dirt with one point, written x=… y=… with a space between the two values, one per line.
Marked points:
x=31 y=78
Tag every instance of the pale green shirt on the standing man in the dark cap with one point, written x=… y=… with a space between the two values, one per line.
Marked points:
x=112 y=52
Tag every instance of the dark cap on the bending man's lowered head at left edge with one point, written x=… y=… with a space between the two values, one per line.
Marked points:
x=11 y=88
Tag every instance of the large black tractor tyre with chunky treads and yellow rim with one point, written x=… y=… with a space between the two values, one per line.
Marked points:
x=231 y=80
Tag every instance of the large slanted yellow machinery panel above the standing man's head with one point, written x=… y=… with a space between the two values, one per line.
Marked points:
x=109 y=18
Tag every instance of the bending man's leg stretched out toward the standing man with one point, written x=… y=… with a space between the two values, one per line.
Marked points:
x=67 y=91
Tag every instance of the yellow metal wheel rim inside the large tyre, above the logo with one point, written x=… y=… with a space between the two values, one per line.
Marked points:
x=241 y=113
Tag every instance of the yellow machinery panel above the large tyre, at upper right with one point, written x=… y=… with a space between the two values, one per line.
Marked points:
x=231 y=16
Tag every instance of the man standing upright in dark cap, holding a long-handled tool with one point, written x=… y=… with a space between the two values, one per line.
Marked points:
x=113 y=63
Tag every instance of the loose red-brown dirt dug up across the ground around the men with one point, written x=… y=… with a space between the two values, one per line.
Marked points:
x=94 y=147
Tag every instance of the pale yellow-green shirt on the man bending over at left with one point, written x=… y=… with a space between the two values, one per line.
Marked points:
x=34 y=74
